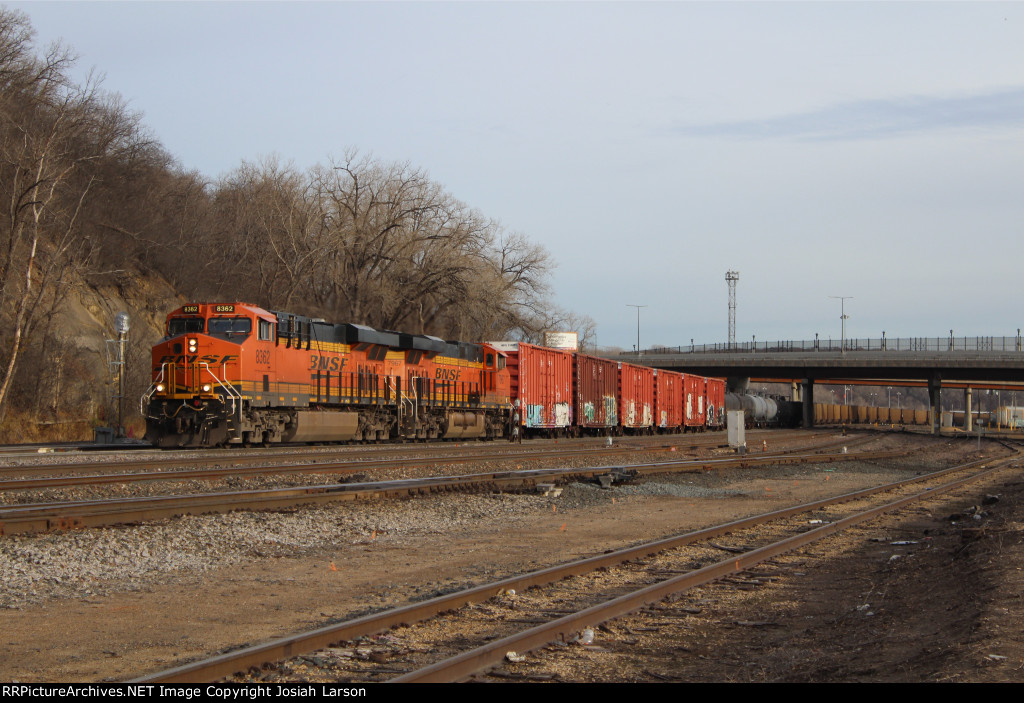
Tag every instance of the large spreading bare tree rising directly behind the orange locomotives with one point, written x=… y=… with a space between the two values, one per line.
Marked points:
x=404 y=254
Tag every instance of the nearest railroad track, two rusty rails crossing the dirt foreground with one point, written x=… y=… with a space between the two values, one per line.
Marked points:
x=499 y=619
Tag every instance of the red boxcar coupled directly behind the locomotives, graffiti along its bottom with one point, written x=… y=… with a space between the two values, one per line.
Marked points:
x=542 y=387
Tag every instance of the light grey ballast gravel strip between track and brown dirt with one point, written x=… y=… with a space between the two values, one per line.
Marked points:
x=83 y=564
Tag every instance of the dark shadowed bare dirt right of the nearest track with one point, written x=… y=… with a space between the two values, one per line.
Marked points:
x=860 y=607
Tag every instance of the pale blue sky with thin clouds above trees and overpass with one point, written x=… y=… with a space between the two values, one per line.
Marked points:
x=871 y=150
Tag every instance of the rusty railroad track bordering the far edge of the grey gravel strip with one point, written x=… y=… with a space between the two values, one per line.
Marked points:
x=46 y=517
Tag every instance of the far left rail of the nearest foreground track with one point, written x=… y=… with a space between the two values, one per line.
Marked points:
x=227 y=665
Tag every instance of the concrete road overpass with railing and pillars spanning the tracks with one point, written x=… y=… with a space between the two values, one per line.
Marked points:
x=954 y=362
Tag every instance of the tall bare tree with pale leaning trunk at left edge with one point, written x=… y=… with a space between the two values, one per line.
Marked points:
x=52 y=135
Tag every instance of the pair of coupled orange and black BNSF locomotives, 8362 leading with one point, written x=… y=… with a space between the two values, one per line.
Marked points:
x=237 y=374
